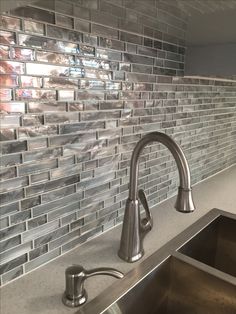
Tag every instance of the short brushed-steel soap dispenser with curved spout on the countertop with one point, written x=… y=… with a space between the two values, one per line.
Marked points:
x=75 y=294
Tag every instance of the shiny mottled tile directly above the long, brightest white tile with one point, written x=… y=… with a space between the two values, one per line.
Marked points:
x=51 y=57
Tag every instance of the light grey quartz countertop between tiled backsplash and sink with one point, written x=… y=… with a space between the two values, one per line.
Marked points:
x=40 y=291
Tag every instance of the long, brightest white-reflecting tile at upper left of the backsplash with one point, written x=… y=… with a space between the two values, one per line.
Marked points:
x=46 y=70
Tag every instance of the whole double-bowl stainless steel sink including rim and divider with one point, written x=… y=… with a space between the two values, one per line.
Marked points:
x=185 y=276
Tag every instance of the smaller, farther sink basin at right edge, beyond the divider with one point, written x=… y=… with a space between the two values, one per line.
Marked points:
x=215 y=245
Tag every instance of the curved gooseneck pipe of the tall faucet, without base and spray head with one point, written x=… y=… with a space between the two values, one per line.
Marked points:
x=184 y=173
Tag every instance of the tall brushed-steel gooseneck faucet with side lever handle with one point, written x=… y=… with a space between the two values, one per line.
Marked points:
x=134 y=229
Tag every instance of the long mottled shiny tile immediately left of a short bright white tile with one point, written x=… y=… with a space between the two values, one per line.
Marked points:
x=22 y=94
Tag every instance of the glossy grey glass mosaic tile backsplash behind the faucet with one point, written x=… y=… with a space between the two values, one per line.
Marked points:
x=82 y=82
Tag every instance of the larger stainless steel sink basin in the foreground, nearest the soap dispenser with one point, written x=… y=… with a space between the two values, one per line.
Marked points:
x=177 y=287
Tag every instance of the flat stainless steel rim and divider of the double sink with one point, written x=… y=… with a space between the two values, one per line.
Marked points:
x=119 y=288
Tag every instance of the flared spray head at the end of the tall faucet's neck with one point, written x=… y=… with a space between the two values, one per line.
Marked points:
x=184 y=202
